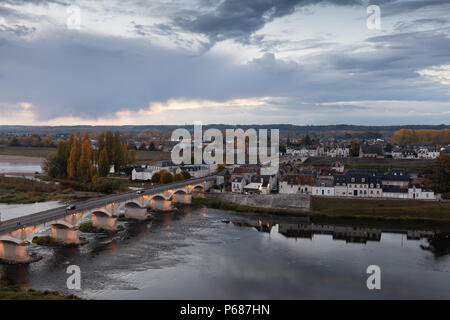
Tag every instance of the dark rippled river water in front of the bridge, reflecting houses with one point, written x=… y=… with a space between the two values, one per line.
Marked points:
x=214 y=254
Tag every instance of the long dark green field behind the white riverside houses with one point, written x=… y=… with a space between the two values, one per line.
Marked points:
x=423 y=166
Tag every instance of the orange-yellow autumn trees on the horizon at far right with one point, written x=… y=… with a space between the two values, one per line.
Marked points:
x=424 y=136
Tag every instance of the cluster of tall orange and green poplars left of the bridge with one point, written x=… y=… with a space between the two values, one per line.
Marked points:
x=77 y=159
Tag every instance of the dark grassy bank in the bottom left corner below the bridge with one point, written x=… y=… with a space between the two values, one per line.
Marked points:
x=16 y=293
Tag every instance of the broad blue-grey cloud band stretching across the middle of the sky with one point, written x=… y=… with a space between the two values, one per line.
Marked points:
x=92 y=75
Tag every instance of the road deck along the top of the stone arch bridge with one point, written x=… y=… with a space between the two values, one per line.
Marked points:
x=60 y=212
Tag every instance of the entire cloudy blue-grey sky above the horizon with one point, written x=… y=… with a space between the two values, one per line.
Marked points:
x=224 y=61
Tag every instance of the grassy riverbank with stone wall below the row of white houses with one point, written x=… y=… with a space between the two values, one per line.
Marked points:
x=402 y=211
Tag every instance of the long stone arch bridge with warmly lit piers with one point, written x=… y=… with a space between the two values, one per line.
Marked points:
x=16 y=234
